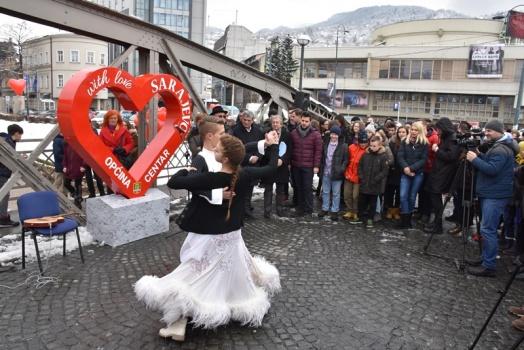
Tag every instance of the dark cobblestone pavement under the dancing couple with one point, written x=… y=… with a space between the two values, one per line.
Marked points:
x=343 y=287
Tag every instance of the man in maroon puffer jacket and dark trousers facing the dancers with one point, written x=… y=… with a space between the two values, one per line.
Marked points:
x=305 y=160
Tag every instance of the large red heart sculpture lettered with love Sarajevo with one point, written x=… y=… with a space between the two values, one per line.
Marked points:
x=133 y=93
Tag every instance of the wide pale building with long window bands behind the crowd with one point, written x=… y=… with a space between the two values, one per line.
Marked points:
x=458 y=68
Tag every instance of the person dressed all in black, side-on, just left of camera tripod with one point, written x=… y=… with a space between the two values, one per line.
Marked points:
x=447 y=154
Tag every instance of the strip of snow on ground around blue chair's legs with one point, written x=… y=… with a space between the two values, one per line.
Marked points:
x=11 y=246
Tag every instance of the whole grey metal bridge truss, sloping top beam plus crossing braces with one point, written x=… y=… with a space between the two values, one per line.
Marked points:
x=159 y=50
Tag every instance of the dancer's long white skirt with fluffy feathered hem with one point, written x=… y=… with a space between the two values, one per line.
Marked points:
x=217 y=281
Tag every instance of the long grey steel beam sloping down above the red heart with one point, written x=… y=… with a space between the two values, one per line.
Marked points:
x=86 y=18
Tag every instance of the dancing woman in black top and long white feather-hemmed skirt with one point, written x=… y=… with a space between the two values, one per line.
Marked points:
x=217 y=280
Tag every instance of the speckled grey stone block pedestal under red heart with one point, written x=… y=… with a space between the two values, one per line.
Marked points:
x=116 y=220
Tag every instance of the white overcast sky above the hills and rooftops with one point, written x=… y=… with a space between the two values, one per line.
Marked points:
x=297 y=13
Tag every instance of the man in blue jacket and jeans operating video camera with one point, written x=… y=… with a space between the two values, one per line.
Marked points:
x=494 y=166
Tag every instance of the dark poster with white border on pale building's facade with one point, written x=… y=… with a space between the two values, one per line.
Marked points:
x=485 y=61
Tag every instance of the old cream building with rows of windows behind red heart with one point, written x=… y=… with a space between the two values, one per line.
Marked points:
x=51 y=60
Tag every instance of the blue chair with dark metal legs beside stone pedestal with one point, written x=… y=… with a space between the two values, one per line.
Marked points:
x=39 y=204
